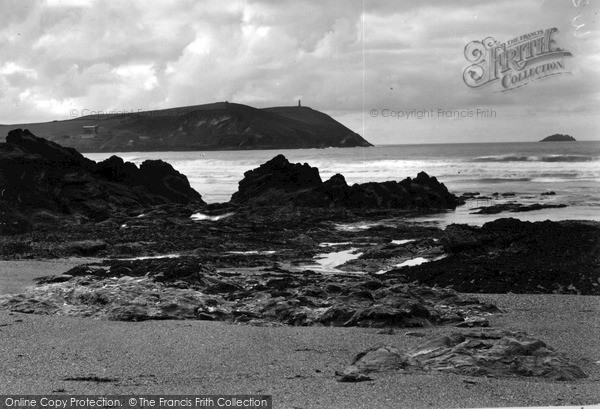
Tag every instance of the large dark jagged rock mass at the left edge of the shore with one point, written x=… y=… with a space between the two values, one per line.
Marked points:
x=41 y=176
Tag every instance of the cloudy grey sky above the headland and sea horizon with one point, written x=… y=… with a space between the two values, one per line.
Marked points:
x=345 y=58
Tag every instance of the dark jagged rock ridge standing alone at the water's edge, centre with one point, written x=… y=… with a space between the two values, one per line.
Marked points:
x=279 y=182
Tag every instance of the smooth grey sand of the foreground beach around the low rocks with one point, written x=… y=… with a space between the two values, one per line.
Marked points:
x=294 y=364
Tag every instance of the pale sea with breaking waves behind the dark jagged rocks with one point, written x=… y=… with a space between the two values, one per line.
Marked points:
x=527 y=169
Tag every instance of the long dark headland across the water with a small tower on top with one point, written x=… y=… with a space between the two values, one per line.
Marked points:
x=219 y=126
